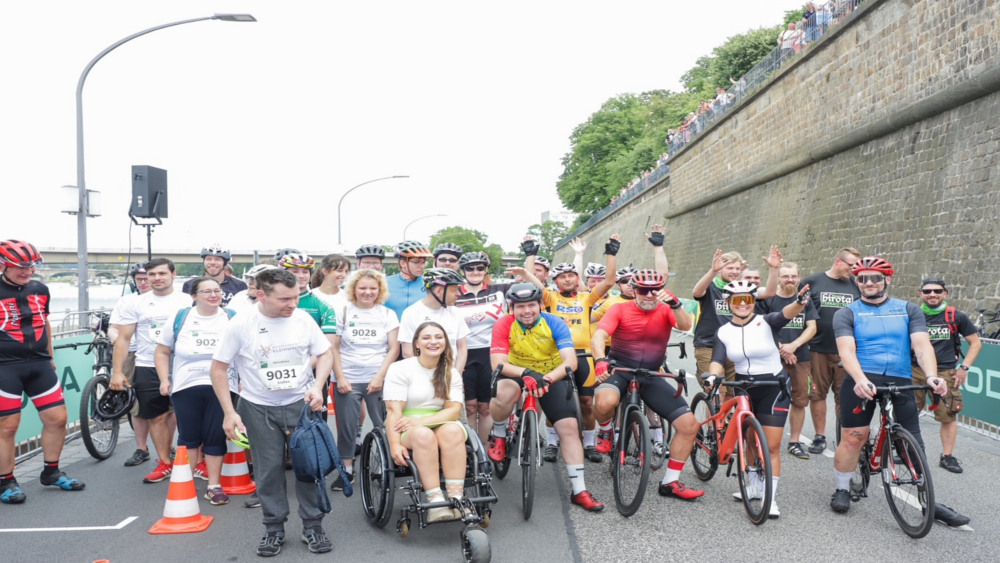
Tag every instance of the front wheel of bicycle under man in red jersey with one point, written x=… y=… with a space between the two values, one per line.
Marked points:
x=632 y=474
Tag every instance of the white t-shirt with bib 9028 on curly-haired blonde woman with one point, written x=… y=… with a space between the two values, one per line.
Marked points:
x=364 y=340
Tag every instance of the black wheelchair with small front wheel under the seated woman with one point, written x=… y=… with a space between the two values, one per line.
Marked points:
x=379 y=474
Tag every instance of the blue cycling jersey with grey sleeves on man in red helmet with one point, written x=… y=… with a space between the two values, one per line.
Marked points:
x=881 y=334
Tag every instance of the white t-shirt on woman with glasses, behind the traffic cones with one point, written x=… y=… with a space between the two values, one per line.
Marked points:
x=198 y=339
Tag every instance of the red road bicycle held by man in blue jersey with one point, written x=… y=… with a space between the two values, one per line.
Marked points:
x=894 y=453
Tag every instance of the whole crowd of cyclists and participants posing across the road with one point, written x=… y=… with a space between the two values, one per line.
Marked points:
x=222 y=357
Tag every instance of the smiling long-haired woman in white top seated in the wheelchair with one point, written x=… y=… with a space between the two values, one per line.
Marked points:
x=424 y=398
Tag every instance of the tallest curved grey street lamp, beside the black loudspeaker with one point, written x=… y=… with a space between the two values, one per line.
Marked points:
x=83 y=300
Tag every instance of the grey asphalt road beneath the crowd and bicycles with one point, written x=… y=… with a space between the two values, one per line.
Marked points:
x=712 y=528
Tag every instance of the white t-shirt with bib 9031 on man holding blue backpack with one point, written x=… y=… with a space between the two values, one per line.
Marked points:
x=272 y=356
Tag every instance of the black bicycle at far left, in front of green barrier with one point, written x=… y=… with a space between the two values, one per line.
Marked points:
x=100 y=435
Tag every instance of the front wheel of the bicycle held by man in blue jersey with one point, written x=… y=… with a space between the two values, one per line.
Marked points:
x=908 y=487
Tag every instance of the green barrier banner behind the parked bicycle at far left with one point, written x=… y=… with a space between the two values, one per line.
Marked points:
x=74 y=369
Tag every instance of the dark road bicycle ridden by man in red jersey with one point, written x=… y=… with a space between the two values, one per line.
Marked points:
x=630 y=459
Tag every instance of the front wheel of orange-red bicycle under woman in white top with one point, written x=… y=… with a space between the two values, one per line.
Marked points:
x=756 y=485
